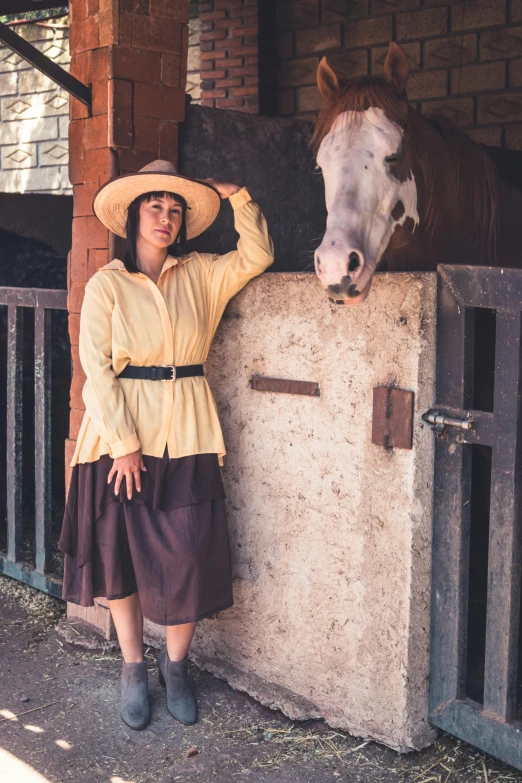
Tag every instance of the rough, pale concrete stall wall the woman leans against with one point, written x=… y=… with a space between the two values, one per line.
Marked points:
x=330 y=535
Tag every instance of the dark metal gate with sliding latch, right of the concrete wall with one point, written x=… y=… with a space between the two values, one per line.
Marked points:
x=475 y=672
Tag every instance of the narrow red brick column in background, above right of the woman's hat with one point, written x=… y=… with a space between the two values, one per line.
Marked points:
x=229 y=51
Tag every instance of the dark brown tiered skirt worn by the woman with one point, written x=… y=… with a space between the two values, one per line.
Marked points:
x=169 y=543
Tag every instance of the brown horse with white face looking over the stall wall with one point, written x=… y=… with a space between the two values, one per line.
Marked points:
x=405 y=192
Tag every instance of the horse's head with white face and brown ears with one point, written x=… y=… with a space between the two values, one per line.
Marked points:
x=371 y=193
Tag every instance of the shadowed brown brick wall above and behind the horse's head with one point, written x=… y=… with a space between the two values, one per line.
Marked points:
x=465 y=57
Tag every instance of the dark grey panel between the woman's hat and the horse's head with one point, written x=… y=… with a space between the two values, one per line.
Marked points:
x=272 y=158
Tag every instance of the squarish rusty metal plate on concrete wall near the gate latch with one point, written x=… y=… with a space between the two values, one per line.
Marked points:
x=392 y=423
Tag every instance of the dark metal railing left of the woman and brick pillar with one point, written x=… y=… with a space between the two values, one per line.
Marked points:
x=43 y=301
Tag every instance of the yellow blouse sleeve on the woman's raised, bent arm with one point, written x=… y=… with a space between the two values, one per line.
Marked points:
x=254 y=253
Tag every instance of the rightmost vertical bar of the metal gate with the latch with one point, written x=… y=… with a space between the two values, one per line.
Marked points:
x=503 y=601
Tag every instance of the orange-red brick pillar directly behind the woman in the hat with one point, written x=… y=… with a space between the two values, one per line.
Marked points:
x=134 y=54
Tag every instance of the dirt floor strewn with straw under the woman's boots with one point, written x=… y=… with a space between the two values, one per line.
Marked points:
x=59 y=721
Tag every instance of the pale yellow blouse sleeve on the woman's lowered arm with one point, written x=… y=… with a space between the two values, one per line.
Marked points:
x=102 y=393
